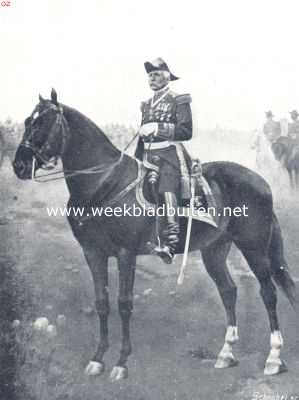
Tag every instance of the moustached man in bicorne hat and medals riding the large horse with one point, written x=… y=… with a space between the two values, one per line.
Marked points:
x=166 y=120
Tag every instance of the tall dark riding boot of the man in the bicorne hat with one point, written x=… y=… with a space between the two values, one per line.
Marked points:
x=171 y=233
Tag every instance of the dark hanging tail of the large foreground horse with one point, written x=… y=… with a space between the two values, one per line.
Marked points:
x=279 y=267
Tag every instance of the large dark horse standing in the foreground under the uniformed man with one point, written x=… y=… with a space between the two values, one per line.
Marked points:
x=96 y=172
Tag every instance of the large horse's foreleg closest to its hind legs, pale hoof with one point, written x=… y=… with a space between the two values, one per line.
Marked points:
x=126 y=266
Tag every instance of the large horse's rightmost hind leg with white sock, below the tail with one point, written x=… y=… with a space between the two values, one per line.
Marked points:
x=260 y=265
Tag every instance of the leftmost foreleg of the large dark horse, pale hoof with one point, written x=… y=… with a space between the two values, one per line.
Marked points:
x=98 y=264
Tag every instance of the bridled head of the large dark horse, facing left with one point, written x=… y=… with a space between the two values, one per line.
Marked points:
x=44 y=140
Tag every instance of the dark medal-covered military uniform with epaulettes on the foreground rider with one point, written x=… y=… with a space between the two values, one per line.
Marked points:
x=172 y=113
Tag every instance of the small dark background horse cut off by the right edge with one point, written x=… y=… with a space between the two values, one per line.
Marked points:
x=286 y=151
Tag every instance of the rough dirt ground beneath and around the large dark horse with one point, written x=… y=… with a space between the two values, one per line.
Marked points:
x=176 y=331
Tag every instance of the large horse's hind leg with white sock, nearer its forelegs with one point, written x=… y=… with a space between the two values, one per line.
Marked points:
x=215 y=262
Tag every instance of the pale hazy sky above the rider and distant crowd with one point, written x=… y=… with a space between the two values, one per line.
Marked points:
x=236 y=58
